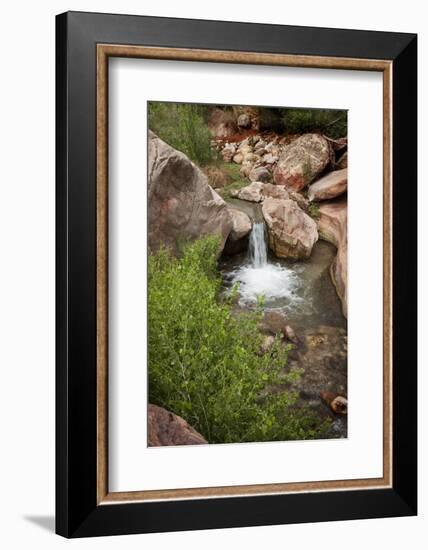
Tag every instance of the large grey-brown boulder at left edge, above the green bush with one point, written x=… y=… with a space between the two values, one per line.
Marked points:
x=182 y=205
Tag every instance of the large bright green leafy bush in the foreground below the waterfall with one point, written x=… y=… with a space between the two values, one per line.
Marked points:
x=205 y=362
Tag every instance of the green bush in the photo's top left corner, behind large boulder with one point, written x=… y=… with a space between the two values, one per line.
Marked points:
x=183 y=126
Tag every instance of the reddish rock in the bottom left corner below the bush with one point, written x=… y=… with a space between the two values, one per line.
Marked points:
x=166 y=428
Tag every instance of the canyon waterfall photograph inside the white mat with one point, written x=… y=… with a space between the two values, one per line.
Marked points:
x=247 y=273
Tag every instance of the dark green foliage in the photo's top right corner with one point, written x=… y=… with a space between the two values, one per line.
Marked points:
x=331 y=122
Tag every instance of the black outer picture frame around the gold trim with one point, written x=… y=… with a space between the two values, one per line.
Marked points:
x=77 y=511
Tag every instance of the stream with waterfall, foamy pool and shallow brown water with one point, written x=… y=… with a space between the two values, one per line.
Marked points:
x=303 y=292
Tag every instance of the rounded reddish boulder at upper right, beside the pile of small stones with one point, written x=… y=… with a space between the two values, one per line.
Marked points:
x=302 y=161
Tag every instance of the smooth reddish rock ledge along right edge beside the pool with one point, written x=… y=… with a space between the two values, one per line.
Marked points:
x=332 y=227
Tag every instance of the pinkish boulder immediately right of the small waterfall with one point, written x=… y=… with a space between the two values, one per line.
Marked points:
x=292 y=233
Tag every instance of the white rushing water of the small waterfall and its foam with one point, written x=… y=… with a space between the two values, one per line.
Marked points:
x=258 y=277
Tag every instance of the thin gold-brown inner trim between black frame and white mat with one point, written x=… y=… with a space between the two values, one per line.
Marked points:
x=104 y=51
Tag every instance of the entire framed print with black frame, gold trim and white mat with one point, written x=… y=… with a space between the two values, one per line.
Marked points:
x=236 y=274
